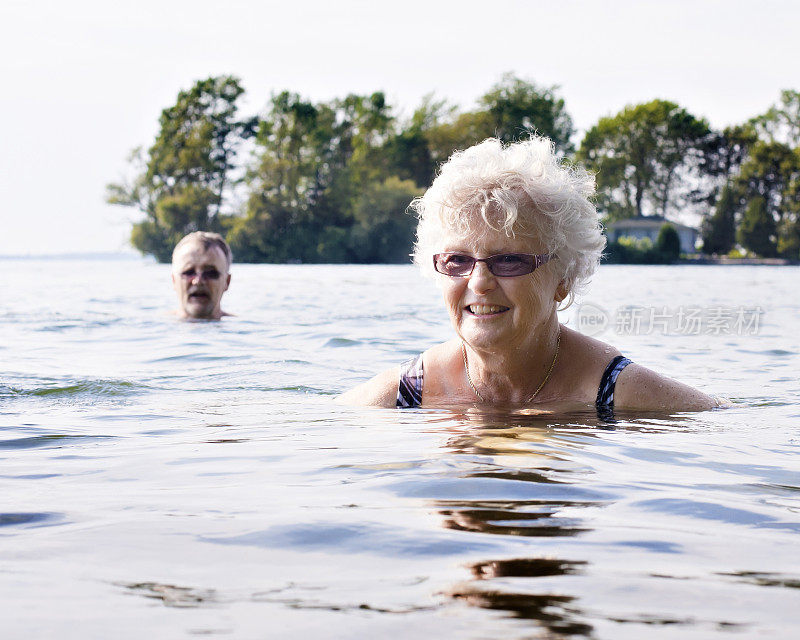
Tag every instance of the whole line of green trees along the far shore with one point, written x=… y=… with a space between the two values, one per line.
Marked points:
x=329 y=181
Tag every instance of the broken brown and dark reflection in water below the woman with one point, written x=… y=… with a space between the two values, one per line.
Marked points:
x=522 y=449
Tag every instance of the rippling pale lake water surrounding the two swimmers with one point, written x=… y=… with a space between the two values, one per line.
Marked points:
x=161 y=479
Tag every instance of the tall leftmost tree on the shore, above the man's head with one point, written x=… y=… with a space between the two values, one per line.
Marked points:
x=182 y=182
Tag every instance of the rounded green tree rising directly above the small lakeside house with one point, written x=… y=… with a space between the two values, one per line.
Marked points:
x=649 y=159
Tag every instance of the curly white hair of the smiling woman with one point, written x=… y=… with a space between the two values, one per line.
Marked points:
x=522 y=189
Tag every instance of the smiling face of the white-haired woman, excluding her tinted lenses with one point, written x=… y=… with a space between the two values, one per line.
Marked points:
x=494 y=313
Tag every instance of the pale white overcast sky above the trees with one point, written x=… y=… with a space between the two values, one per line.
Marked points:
x=85 y=81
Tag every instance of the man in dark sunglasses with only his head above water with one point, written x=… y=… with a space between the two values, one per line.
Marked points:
x=201 y=262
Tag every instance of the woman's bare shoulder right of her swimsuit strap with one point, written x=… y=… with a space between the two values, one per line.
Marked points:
x=638 y=387
